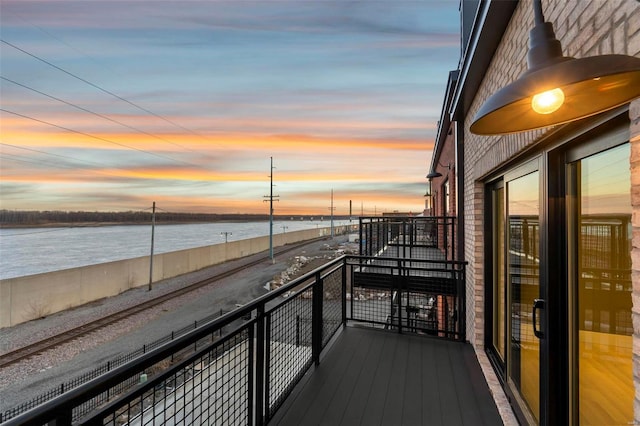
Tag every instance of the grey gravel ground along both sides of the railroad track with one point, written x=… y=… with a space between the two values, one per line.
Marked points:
x=23 y=381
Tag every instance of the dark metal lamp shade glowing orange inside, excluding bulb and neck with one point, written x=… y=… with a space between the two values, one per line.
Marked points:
x=590 y=85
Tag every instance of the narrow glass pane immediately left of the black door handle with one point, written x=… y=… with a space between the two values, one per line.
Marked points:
x=523 y=256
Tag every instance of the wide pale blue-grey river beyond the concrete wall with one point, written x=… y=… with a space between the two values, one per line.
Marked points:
x=28 y=251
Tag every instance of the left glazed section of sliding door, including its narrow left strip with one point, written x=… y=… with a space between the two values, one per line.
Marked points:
x=515 y=274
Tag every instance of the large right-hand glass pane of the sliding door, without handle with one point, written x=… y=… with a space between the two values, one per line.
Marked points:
x=602 y=301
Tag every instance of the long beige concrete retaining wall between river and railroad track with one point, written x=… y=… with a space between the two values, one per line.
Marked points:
x=35 y=296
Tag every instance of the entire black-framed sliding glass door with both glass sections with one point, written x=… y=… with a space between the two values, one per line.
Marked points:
x=559 y=279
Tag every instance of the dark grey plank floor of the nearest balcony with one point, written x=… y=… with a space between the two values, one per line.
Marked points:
x=375 y=377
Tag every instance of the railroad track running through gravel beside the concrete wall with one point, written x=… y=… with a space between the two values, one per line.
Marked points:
x=49 y=343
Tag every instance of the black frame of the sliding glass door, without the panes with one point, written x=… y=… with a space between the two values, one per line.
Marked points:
x=554 y=153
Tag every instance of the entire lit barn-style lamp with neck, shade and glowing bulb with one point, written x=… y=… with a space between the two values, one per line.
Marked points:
x=557 y=89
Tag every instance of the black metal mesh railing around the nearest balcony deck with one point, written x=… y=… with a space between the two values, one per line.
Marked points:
x=244 y=376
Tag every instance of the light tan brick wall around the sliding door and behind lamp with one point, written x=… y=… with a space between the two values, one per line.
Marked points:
x=585 y=28
